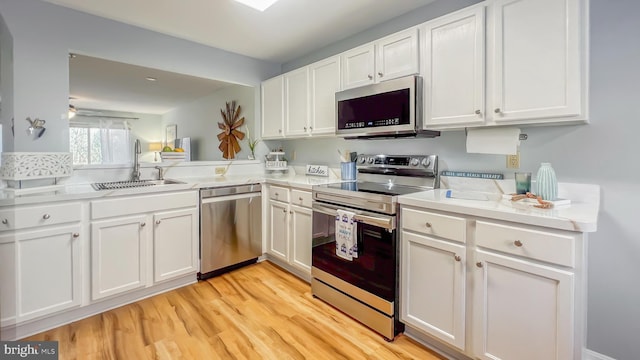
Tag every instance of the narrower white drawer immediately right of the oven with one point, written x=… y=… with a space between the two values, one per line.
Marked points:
x=444 y=226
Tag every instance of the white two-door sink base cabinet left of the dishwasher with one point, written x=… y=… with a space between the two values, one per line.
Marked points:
x=139 y=241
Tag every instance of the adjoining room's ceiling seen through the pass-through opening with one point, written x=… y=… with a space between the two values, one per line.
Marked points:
x=108 y=85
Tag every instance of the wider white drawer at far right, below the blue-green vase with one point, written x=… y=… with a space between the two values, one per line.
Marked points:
x=539 y=244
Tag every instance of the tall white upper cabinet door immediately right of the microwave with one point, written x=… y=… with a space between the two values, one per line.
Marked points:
x=454 y=69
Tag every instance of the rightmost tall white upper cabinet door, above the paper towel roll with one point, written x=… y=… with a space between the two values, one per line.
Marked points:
x=536 y=59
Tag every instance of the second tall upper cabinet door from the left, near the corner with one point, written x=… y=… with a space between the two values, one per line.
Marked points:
x=296 y=90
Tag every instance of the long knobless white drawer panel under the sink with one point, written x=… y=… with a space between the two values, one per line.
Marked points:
x=138 y=204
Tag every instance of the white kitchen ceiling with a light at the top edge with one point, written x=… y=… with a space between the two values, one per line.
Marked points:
x=285 y=31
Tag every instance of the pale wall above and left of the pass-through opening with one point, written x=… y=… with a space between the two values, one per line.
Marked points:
x=43 y=34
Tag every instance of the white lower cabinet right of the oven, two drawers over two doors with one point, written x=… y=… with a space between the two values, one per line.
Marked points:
x=504 y=291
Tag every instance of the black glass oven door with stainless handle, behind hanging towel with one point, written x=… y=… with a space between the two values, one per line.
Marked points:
x=374 y=270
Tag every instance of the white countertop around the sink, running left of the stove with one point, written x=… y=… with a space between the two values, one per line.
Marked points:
x=85 y=191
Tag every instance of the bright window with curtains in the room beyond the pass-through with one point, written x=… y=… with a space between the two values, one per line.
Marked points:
x=99 y=141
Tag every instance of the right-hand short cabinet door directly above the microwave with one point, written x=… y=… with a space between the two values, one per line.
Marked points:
x=397 y=55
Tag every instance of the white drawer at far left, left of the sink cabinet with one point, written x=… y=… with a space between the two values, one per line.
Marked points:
x=24 y=217
